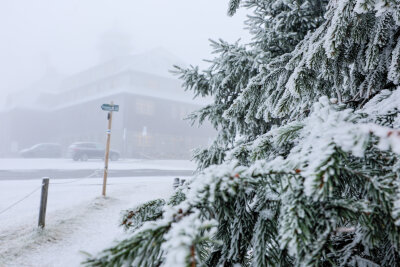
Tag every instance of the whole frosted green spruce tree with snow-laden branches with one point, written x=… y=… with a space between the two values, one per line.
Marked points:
x=305 y=168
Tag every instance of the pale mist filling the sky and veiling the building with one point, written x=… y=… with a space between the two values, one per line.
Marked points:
x=62 y=60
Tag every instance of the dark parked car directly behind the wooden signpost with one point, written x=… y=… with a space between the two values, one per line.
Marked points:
x=87 y=150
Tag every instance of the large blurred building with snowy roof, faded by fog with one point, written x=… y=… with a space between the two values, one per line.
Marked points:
x=149 y=123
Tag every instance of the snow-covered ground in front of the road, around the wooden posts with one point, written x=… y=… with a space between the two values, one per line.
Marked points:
x=78 y=218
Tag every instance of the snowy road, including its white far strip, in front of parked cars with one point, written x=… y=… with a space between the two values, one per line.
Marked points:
x=25 y=169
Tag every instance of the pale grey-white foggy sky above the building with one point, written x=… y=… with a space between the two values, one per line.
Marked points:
x=64 y=35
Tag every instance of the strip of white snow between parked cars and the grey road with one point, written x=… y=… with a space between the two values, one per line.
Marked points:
x=68 y=164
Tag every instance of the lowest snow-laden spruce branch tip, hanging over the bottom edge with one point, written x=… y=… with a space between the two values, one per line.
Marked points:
x=181 y=233
